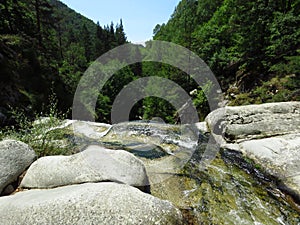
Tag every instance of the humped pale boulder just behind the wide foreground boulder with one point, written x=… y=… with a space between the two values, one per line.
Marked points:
x=95 y=164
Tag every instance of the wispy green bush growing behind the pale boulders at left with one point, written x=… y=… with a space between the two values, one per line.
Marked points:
x=39 y=134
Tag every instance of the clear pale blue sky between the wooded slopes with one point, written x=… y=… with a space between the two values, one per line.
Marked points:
x=139 y=16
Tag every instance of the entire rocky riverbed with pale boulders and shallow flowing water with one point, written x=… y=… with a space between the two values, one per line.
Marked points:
x=240 y=166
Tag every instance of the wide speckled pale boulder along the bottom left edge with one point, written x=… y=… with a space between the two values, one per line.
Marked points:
x=101 y=203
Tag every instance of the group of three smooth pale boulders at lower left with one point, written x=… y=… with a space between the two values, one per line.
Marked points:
x=95 y=186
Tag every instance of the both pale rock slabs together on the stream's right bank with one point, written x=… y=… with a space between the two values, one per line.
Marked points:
x=269 y=134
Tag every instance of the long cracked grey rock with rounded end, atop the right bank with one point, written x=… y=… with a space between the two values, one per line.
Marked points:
x=255 y=121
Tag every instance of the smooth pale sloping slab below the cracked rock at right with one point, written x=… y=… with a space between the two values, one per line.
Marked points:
x=279 y=156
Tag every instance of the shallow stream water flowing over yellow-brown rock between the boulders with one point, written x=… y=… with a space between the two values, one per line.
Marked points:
x=219 y=193
